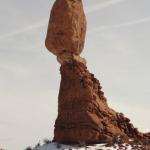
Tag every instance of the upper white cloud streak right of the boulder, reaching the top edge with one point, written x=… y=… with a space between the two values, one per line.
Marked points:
x=100 y=6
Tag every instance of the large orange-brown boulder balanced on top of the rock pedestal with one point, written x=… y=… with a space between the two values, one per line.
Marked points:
x=67 y=28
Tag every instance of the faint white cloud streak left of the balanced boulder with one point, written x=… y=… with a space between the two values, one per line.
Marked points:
x=24 y=30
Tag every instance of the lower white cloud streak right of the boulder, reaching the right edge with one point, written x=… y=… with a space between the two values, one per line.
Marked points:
x=135 y=22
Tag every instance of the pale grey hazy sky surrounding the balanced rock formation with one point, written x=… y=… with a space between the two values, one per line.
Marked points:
x=117 y=50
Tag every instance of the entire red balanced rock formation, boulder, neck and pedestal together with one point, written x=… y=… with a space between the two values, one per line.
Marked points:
x=83 y=113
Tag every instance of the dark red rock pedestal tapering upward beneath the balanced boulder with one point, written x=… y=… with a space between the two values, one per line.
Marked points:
x=83 y=113
